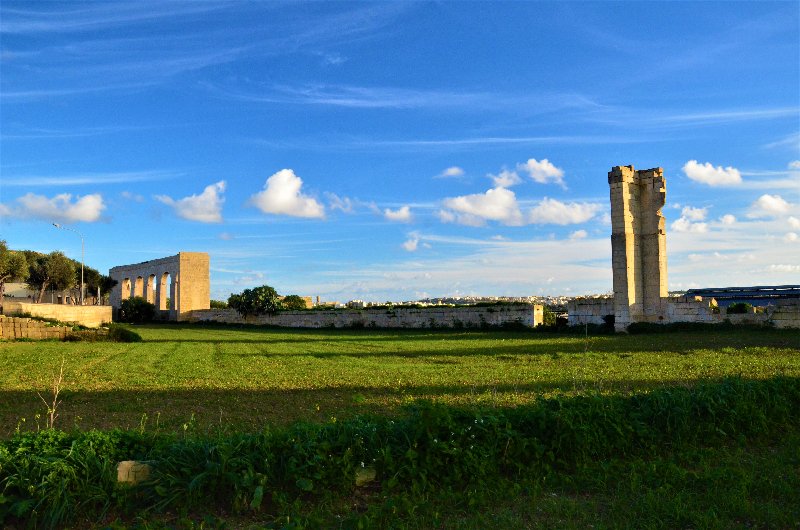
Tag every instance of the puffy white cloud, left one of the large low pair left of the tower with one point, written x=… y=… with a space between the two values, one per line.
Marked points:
x=497 y=204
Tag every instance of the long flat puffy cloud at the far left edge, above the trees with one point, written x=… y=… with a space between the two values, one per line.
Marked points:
x=87 y=208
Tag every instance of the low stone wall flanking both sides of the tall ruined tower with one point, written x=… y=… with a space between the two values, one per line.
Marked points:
x=783 y=313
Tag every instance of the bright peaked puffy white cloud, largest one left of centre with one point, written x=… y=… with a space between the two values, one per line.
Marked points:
x=282 y=196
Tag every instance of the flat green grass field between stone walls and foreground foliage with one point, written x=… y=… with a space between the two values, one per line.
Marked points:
x=211 y=377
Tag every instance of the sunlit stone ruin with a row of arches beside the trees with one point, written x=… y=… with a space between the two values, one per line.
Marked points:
x=182 y=279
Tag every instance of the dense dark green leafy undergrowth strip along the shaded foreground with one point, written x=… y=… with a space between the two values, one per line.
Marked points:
x=49 y=477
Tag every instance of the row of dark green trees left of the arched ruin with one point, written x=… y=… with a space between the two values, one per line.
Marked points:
x=41 y=272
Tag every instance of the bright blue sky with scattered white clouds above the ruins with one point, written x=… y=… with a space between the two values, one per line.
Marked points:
x=401 y=150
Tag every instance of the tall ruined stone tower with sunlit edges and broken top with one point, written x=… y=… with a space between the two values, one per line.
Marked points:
x=638 y=244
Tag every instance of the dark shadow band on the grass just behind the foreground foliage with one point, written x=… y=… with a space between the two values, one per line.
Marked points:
x=252 y=410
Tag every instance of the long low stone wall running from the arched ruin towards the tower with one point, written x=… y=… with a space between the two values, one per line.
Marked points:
x=528 y=315
